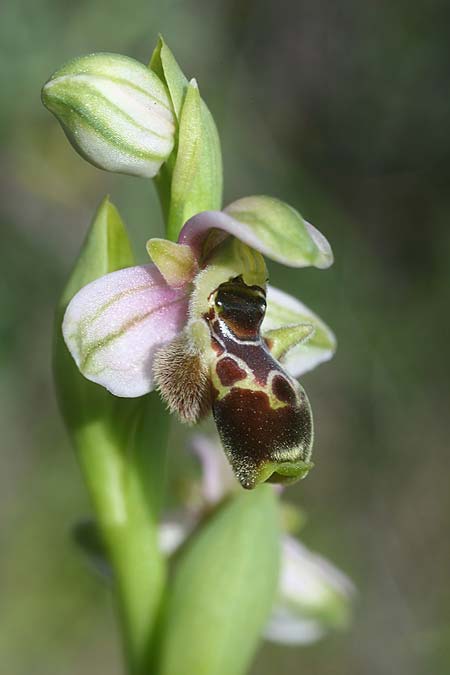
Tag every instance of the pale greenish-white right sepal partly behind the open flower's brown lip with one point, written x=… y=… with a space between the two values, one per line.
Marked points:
x=285 y=310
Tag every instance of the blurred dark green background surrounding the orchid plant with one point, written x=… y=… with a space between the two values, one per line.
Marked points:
x=341 y=109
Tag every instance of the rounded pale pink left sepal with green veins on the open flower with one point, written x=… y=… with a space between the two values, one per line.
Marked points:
x=114 y=326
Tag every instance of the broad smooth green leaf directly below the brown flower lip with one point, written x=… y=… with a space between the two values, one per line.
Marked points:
x=222 y=592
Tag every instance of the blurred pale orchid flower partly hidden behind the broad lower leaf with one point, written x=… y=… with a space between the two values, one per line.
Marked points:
x=313 y=595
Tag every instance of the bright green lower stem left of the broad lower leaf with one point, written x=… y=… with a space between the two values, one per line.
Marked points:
x=113 y=474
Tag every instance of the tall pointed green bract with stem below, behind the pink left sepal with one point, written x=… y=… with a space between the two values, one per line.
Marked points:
x=120 y=445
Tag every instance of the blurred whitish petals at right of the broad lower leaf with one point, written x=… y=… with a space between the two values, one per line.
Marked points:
x=313 y=597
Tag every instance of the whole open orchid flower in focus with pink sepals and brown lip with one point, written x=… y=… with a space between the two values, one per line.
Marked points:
x=201 y=325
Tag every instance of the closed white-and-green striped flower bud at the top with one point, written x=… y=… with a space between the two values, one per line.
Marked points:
x=116 y=113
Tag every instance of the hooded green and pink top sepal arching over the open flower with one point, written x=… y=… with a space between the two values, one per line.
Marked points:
x=267 y=225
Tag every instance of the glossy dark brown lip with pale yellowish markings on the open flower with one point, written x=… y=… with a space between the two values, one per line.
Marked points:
x=262 y=414
